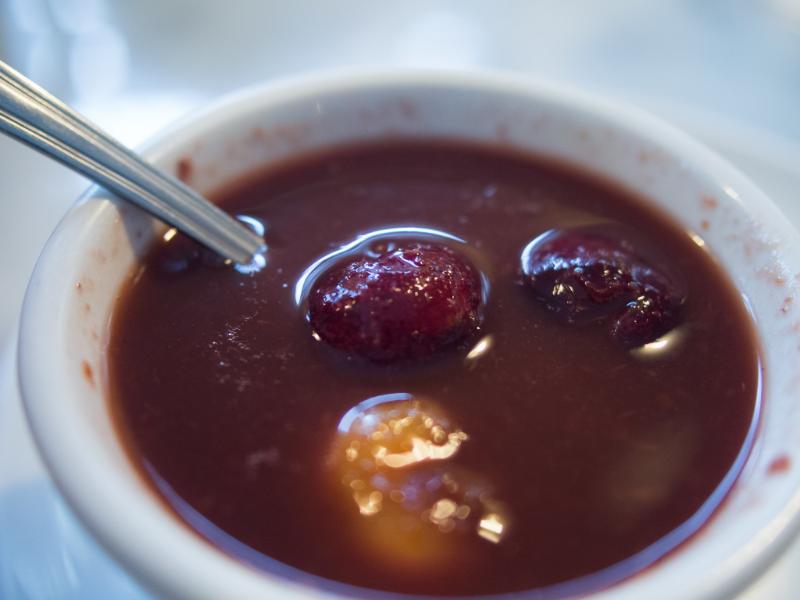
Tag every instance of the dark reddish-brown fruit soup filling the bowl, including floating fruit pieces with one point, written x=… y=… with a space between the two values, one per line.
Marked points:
x=461 y=371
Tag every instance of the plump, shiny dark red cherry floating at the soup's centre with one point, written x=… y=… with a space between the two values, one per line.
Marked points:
x=408 y=302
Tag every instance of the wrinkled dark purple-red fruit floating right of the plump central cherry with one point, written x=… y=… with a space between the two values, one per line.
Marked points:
x=584 y=276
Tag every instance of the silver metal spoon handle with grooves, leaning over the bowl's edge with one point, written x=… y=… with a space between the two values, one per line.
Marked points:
x=32 y=115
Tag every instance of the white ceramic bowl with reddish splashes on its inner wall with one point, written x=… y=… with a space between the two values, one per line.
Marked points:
x=78 y=277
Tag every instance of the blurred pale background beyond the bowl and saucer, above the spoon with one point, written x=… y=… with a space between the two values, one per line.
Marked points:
x=737 y=58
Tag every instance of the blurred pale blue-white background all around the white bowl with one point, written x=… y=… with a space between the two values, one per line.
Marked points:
x=727 y=71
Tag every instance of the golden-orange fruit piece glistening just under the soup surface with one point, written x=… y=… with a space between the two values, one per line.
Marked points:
x=412 y=505
